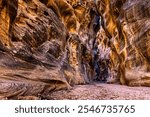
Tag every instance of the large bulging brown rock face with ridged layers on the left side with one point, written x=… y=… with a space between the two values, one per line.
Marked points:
x=33 y=61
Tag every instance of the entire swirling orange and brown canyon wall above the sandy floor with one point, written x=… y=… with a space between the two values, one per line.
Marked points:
x=49 y=45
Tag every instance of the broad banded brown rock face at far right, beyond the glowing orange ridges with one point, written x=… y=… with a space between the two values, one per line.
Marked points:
x=136 y=28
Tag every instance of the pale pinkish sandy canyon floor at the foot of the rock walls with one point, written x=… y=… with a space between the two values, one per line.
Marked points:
x=101 y=91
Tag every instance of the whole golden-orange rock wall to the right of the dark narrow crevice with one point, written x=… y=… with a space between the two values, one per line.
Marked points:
x=126 y=25
